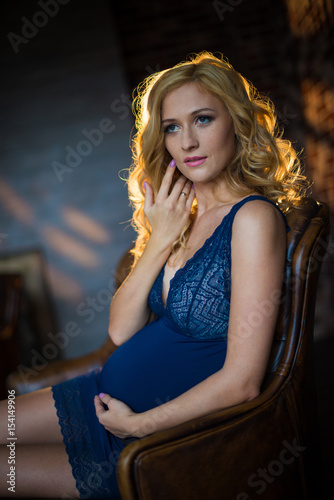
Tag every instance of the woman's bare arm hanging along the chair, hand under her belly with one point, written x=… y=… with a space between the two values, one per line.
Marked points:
x=258 y=257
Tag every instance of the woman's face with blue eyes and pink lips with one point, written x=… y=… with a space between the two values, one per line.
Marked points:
x=199 y=132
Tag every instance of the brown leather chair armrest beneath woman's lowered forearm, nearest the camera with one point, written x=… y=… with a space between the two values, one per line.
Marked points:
x=182 y=462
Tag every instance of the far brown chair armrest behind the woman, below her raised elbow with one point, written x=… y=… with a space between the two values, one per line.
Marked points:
x=30 y=379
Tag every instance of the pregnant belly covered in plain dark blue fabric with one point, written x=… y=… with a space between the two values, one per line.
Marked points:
x=158 y=364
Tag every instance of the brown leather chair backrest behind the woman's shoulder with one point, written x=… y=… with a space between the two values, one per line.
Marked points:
x=306 y=249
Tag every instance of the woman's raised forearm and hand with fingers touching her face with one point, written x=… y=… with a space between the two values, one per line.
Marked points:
x=129 y=310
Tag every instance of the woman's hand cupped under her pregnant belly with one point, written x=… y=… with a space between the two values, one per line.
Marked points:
x=118 y=419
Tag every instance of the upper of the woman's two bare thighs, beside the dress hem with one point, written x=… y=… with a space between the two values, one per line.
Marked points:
x=36 y=420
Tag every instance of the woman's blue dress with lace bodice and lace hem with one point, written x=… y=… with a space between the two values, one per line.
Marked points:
x=185 y=344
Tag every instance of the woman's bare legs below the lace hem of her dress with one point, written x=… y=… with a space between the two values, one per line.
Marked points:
x=41 y=462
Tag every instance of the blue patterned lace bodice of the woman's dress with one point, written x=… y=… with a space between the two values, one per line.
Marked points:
x=198 y=302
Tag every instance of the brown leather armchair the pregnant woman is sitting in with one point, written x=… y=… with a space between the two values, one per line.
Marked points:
x=267 y=448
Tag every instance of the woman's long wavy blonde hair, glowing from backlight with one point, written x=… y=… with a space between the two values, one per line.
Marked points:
x=263 y=162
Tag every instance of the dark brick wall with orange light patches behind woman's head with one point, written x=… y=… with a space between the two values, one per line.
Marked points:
x=284 y=47
